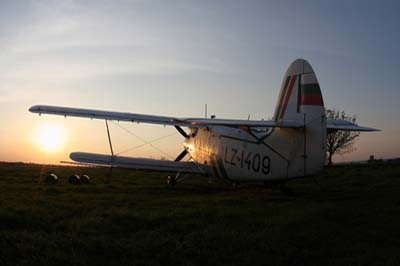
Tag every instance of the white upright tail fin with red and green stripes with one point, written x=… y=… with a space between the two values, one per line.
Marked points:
x=300 y=100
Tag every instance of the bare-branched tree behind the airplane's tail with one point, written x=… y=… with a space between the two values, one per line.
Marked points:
x=340 y=141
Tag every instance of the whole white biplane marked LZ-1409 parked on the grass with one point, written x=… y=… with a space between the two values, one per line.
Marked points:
x=291 y=145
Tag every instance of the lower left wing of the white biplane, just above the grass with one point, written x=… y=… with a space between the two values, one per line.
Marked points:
x=137 y=163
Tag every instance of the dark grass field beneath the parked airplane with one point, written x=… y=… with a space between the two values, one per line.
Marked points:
x=351 y=218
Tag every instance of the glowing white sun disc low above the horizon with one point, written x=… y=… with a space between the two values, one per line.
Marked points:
x=50 y=138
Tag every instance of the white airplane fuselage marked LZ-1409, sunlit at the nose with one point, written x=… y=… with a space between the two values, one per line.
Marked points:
x=237 y=155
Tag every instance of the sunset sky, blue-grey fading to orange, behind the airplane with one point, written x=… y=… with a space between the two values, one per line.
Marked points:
x=172 y=57
